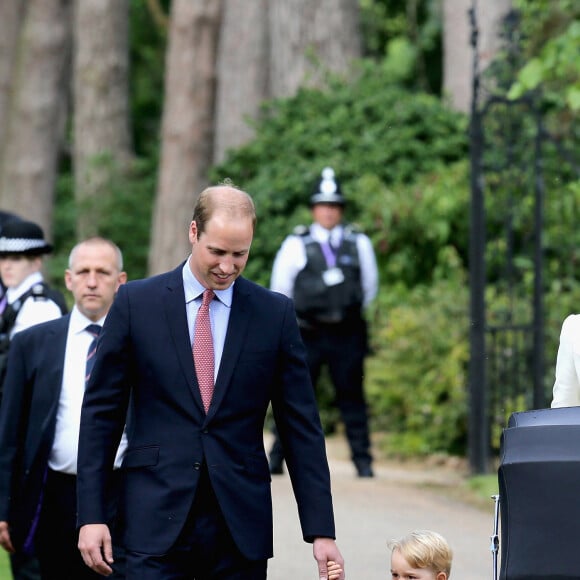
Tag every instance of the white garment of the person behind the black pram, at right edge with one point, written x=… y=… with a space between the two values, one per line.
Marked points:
x=566 y=392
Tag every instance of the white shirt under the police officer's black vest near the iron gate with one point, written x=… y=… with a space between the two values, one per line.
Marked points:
x=291 y=260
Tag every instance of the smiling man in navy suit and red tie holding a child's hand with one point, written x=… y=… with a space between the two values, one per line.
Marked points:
x=196 y=498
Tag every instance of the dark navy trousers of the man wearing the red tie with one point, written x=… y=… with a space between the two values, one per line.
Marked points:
x=205 y=549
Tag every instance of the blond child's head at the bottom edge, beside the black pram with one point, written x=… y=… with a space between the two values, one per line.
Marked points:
x=423 y=555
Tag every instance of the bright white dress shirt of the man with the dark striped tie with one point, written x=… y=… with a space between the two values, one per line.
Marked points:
x=63 y=456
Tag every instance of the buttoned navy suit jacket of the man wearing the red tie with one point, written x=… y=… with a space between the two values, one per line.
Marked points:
x=144 y=357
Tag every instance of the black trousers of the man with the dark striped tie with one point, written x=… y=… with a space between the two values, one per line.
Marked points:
x=56 y=539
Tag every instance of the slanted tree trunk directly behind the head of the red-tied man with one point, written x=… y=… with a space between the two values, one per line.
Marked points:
x=187 y=126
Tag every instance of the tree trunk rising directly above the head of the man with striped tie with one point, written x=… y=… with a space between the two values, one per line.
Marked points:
x=102 y=142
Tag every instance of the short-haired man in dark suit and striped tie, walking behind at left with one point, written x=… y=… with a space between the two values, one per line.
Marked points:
x=40 y=417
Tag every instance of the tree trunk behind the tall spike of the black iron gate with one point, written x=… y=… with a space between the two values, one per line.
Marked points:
x=457 y=50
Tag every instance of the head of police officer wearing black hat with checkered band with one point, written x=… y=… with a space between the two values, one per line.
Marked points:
x=22 y=245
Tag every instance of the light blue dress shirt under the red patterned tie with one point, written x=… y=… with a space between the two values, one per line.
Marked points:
x=219 y=312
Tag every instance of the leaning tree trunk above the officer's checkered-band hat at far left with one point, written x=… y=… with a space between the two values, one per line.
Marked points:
x=29 y=163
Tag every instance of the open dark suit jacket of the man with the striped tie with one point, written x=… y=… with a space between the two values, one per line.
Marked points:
x=27 y=420
